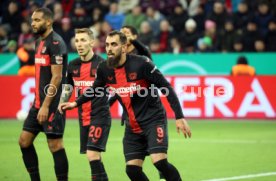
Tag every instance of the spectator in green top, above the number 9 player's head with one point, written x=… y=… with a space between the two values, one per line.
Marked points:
x=135 y=18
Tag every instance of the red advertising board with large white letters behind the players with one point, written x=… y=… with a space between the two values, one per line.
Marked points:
x=200 y=96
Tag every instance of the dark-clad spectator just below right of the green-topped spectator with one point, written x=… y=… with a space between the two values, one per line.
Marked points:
x=146 y=34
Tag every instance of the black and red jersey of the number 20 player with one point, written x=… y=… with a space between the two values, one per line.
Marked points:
x=81 y=75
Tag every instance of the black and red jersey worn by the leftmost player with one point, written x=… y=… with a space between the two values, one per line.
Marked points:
x=49 y=51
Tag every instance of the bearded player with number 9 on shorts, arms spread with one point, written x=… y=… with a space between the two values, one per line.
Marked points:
x=130 y=78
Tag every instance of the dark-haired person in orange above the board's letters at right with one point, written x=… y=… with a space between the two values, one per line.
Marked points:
x=242 y=68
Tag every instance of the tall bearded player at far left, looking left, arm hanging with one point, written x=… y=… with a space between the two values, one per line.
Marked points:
x=50 y=70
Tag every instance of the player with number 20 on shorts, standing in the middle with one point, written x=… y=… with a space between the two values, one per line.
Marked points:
x=94 y=117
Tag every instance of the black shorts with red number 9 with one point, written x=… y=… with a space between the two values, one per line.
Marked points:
x=153 y=139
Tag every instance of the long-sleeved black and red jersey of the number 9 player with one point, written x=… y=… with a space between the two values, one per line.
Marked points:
x=134 y=84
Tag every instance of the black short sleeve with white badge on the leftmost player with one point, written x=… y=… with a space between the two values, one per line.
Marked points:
x=58 y=52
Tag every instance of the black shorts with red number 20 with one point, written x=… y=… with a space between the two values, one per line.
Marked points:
x=94 y=137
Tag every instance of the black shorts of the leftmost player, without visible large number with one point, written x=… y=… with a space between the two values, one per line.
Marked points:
x=53 y=127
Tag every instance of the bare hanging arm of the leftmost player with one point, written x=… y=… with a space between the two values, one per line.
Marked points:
x=56 y=71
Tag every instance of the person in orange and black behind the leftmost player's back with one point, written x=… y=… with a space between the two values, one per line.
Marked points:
x=26 y=56
